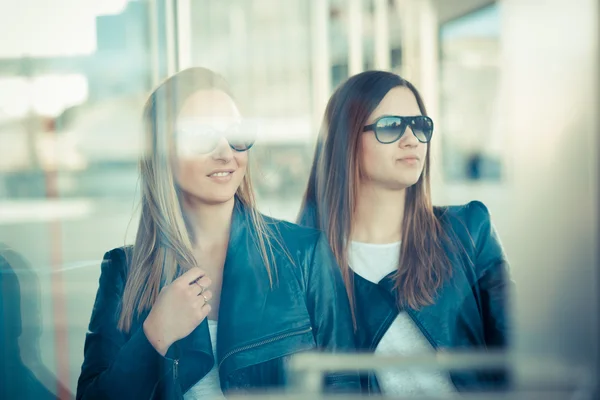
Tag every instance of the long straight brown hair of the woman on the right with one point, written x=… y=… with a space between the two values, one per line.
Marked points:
x=330 y=197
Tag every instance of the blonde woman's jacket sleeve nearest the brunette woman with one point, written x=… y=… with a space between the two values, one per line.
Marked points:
x=329 y=308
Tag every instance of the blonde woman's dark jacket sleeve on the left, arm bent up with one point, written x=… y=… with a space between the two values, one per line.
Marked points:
x=116 y=365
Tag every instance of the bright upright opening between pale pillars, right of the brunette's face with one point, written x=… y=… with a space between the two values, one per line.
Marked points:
x=472 y=148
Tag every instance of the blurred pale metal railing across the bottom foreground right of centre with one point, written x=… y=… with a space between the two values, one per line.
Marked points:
x=534 y=378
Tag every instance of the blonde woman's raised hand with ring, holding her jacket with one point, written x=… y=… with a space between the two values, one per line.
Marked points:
x=178 y=310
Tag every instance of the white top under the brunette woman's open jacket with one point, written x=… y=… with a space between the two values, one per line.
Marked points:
x=373 y=262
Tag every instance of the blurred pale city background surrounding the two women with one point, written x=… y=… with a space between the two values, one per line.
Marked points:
x=511 y=84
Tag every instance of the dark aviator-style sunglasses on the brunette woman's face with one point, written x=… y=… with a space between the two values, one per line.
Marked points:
x=389 y=129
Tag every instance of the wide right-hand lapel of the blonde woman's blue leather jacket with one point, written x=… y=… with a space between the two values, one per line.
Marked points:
x=257 y=323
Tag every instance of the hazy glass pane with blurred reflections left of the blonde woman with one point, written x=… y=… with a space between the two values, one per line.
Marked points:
x=70 y=103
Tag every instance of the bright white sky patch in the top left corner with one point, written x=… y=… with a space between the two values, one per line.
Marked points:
x=49 y=28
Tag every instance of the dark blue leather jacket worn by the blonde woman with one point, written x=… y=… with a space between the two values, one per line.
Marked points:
x=259 y=326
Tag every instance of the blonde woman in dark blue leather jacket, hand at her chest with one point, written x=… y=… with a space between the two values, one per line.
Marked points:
x=213 y=296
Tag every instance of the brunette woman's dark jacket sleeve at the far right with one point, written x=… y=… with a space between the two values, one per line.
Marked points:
x=494 y=282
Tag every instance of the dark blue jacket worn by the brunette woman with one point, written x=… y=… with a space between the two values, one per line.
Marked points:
x=470 y=311
